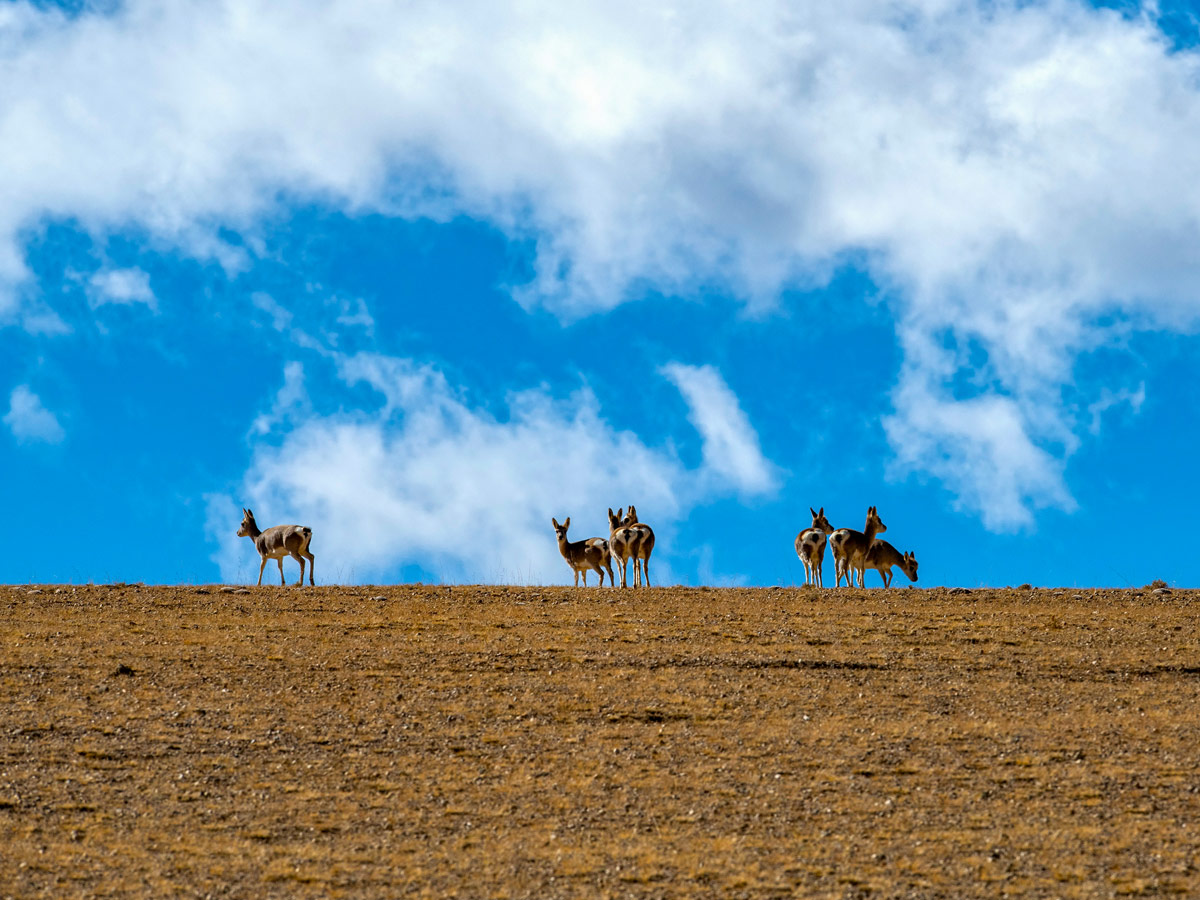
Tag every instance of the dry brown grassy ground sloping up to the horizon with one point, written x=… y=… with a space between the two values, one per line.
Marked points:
x=557 y=742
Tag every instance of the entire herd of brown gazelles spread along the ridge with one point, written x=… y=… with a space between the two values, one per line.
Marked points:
x=633 y=541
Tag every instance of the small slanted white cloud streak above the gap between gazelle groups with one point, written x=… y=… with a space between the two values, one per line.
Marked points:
x=730 y=448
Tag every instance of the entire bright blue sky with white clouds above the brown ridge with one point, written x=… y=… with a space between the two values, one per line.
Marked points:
x=424 y=278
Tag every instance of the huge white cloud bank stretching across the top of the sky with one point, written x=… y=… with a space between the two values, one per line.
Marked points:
x=1012 y=173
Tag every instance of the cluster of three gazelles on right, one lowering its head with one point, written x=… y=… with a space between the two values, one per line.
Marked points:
x=853 y=551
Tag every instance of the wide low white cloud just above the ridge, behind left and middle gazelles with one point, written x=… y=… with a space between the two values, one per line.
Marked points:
x=427 y=479
